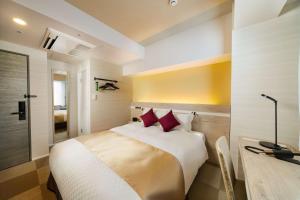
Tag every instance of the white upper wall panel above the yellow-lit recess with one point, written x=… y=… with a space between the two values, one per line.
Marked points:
x=208 y=40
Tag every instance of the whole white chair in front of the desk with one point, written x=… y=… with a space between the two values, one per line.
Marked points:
x=235 y=190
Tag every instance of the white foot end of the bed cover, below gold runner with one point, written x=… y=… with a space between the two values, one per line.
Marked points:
x=79 y=175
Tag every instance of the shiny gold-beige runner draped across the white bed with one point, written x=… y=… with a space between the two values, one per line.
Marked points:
x=151 y=172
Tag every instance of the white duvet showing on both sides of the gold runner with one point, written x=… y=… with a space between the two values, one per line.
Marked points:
x=80 y=175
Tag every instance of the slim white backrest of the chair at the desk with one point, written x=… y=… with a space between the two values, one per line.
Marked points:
x=226 y=166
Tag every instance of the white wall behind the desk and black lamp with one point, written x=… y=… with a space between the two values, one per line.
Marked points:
x=265 y=59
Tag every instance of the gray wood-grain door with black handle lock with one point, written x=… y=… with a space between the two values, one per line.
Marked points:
x=14 y=122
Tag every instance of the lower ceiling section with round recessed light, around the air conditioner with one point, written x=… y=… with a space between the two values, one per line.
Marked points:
x=32 y=34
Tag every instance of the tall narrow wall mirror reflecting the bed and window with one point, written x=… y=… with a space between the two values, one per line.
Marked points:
x=60 y=106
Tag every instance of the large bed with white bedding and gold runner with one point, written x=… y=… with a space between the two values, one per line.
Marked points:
x=81 y=171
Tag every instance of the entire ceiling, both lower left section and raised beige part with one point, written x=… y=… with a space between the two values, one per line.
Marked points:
x=141 y=20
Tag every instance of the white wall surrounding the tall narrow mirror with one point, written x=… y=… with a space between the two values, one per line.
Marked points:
x=72 y=71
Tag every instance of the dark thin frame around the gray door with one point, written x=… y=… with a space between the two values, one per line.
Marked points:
x=27 y=99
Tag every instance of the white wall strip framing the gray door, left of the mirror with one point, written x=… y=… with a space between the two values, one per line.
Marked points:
x=38 y=86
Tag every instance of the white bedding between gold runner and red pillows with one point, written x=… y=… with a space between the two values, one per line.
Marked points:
x=188 y=147
